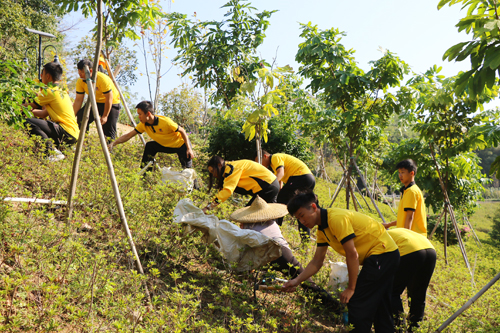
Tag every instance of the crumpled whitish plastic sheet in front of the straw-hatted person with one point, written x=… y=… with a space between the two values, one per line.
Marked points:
x=248 y=249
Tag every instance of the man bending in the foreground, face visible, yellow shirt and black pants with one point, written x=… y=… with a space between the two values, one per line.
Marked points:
x=363 y=241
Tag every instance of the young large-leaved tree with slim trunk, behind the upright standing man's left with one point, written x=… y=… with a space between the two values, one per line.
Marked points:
x=358 y=104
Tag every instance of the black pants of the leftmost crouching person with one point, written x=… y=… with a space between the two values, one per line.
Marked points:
x=49 y=130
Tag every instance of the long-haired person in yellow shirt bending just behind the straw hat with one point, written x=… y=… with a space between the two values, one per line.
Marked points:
x=243 y=177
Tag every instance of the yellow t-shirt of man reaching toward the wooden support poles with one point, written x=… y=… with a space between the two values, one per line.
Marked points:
x=164 y=131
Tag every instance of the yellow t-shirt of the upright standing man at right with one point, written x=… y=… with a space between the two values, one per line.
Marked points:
x=412 y=199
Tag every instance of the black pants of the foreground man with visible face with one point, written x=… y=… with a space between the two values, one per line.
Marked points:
x=371 y=302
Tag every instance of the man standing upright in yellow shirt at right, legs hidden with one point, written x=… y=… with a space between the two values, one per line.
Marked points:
x=411 y=209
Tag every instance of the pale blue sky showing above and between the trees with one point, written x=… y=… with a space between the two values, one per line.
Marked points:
x=415 y=30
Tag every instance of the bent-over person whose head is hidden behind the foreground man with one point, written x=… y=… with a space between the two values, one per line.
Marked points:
x=418 y=260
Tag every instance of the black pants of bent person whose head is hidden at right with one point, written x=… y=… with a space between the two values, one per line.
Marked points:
x=414 y=274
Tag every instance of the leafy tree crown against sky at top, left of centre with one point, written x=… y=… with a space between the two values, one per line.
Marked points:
x=209 y=51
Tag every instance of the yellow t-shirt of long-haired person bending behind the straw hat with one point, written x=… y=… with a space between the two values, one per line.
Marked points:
x=244 y=177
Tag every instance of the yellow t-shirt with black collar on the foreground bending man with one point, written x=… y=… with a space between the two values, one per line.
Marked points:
x=340 y=225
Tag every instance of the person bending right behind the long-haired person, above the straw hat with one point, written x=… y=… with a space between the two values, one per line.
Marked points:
x=295 y=175
